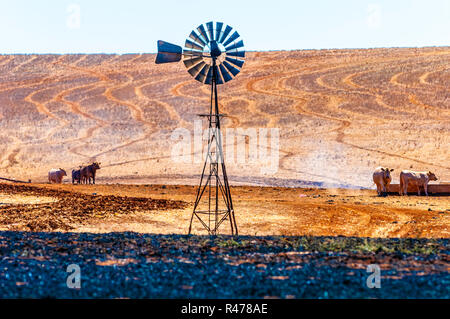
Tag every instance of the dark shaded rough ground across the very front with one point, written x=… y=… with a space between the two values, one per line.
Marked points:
x=132 y=265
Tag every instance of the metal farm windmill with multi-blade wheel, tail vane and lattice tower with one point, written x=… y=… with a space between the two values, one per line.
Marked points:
x=213 y=55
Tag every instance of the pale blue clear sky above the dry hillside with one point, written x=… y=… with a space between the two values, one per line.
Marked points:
x=134 y=26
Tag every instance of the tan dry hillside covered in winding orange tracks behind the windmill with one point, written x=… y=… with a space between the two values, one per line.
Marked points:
x=340 y=114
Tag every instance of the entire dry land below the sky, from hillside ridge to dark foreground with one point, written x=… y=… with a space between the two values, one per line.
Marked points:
x=340 y=114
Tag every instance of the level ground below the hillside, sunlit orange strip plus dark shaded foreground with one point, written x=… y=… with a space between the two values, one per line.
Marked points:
x=45 y=228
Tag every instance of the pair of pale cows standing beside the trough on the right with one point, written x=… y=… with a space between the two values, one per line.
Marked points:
x=382 y=178
